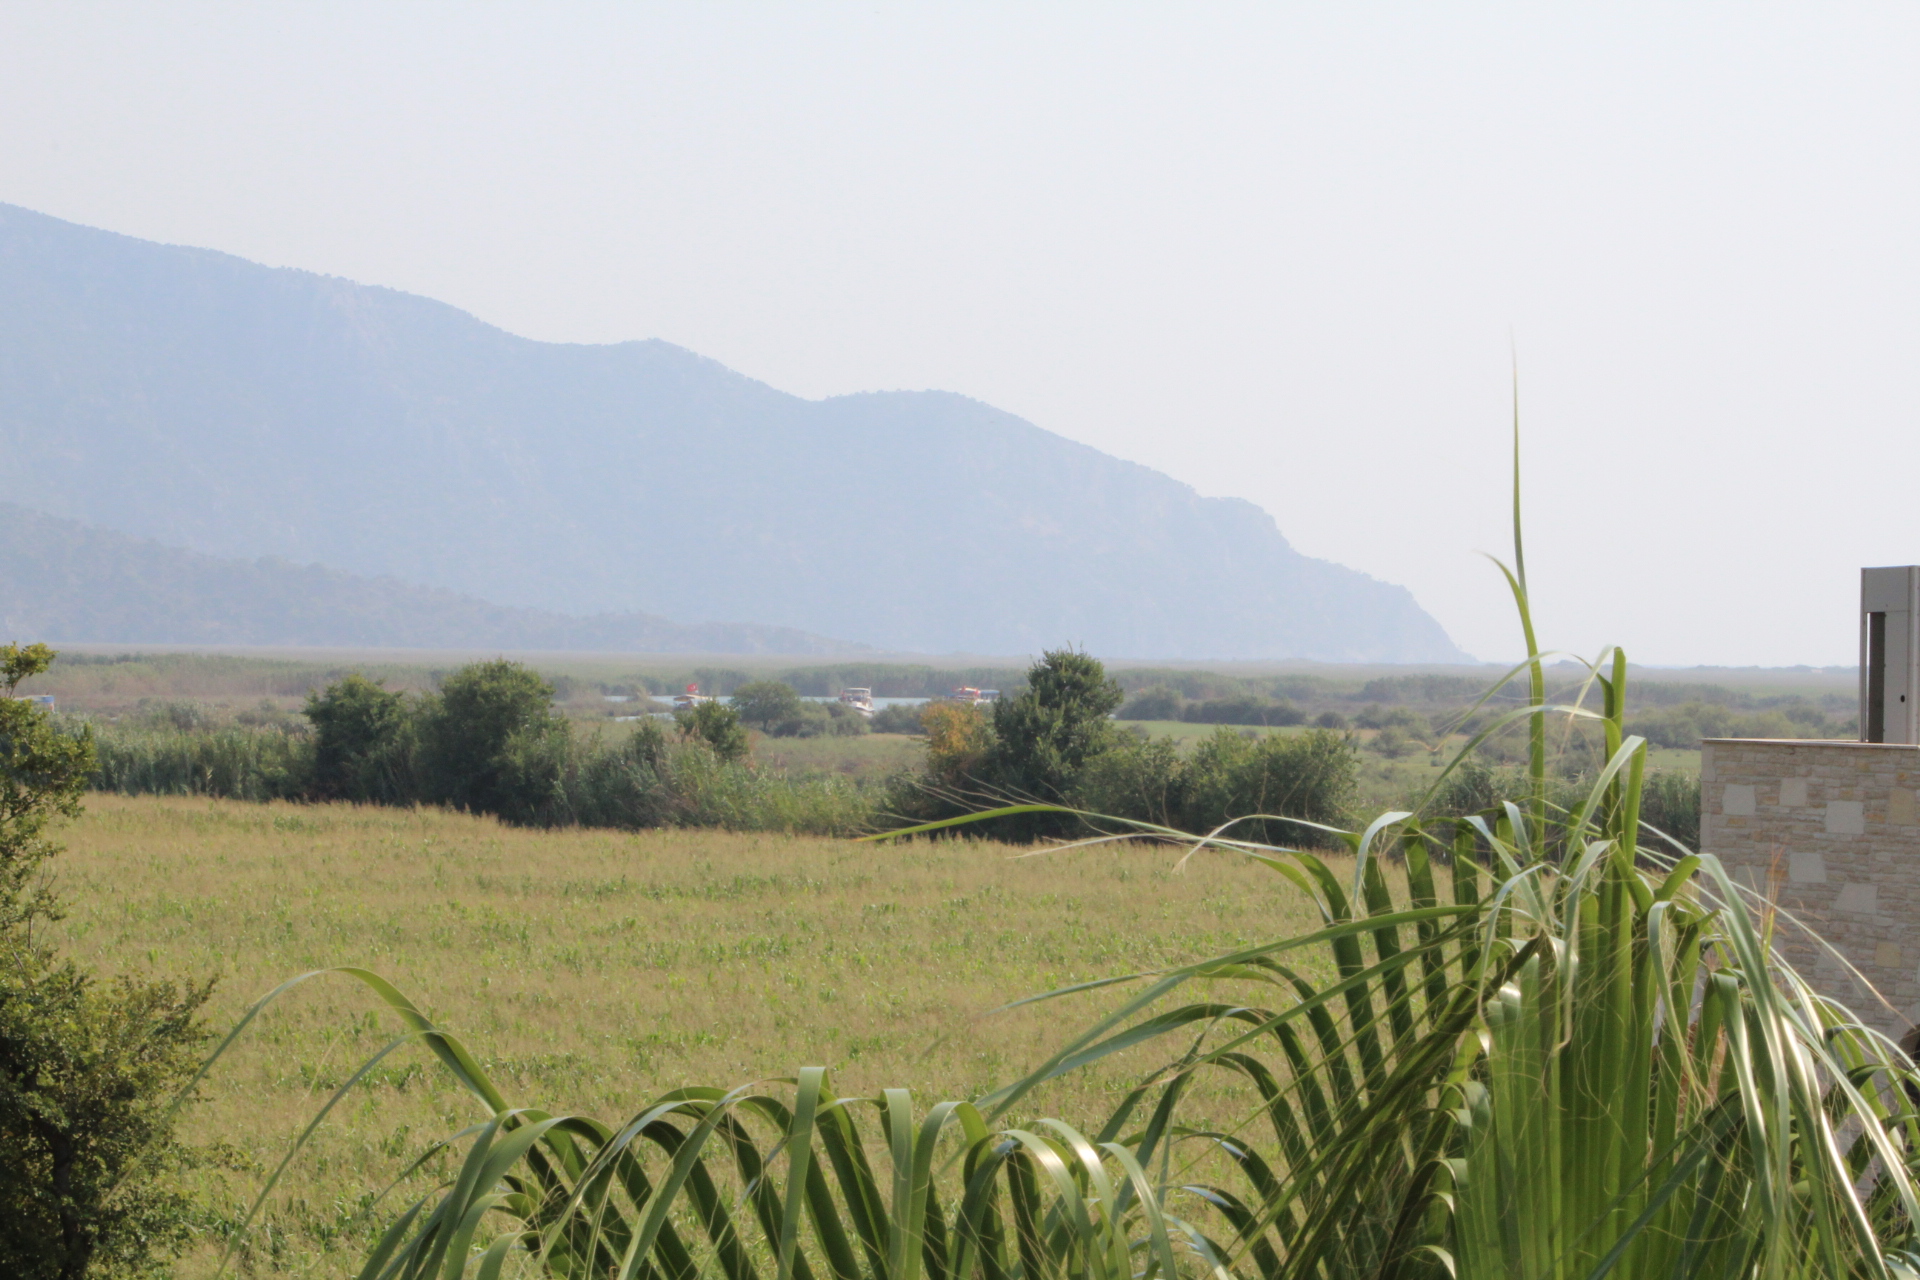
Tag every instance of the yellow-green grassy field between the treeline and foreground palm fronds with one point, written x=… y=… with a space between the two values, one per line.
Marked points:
x=562 y=959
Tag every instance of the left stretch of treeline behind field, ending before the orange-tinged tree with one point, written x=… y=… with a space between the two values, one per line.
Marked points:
x=487 y=742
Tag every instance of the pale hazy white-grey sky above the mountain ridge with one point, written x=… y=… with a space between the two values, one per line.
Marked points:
x=1274 y=250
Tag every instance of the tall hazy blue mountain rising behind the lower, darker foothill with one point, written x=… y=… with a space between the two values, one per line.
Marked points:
x=249 y=412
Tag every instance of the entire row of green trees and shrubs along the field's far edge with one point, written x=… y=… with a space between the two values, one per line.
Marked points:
x=491 y=742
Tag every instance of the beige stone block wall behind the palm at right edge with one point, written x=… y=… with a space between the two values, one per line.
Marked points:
x=1831 y=832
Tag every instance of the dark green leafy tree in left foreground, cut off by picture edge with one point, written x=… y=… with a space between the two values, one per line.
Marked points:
x=87 y=1072
